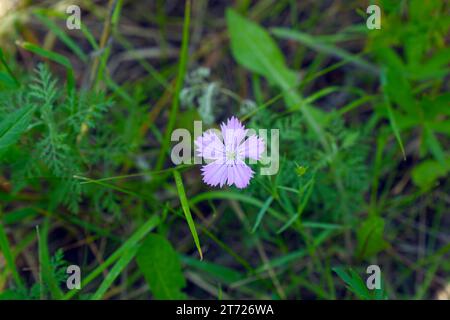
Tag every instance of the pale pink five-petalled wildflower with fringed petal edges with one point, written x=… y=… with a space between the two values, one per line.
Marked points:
x=227 y=157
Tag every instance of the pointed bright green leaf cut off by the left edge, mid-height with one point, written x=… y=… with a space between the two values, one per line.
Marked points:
x=12 y=127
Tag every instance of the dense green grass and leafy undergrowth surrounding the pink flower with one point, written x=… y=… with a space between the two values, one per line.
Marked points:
x=86 y=176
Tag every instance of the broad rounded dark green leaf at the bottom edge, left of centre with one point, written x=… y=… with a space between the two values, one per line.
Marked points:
x=161 y=267
